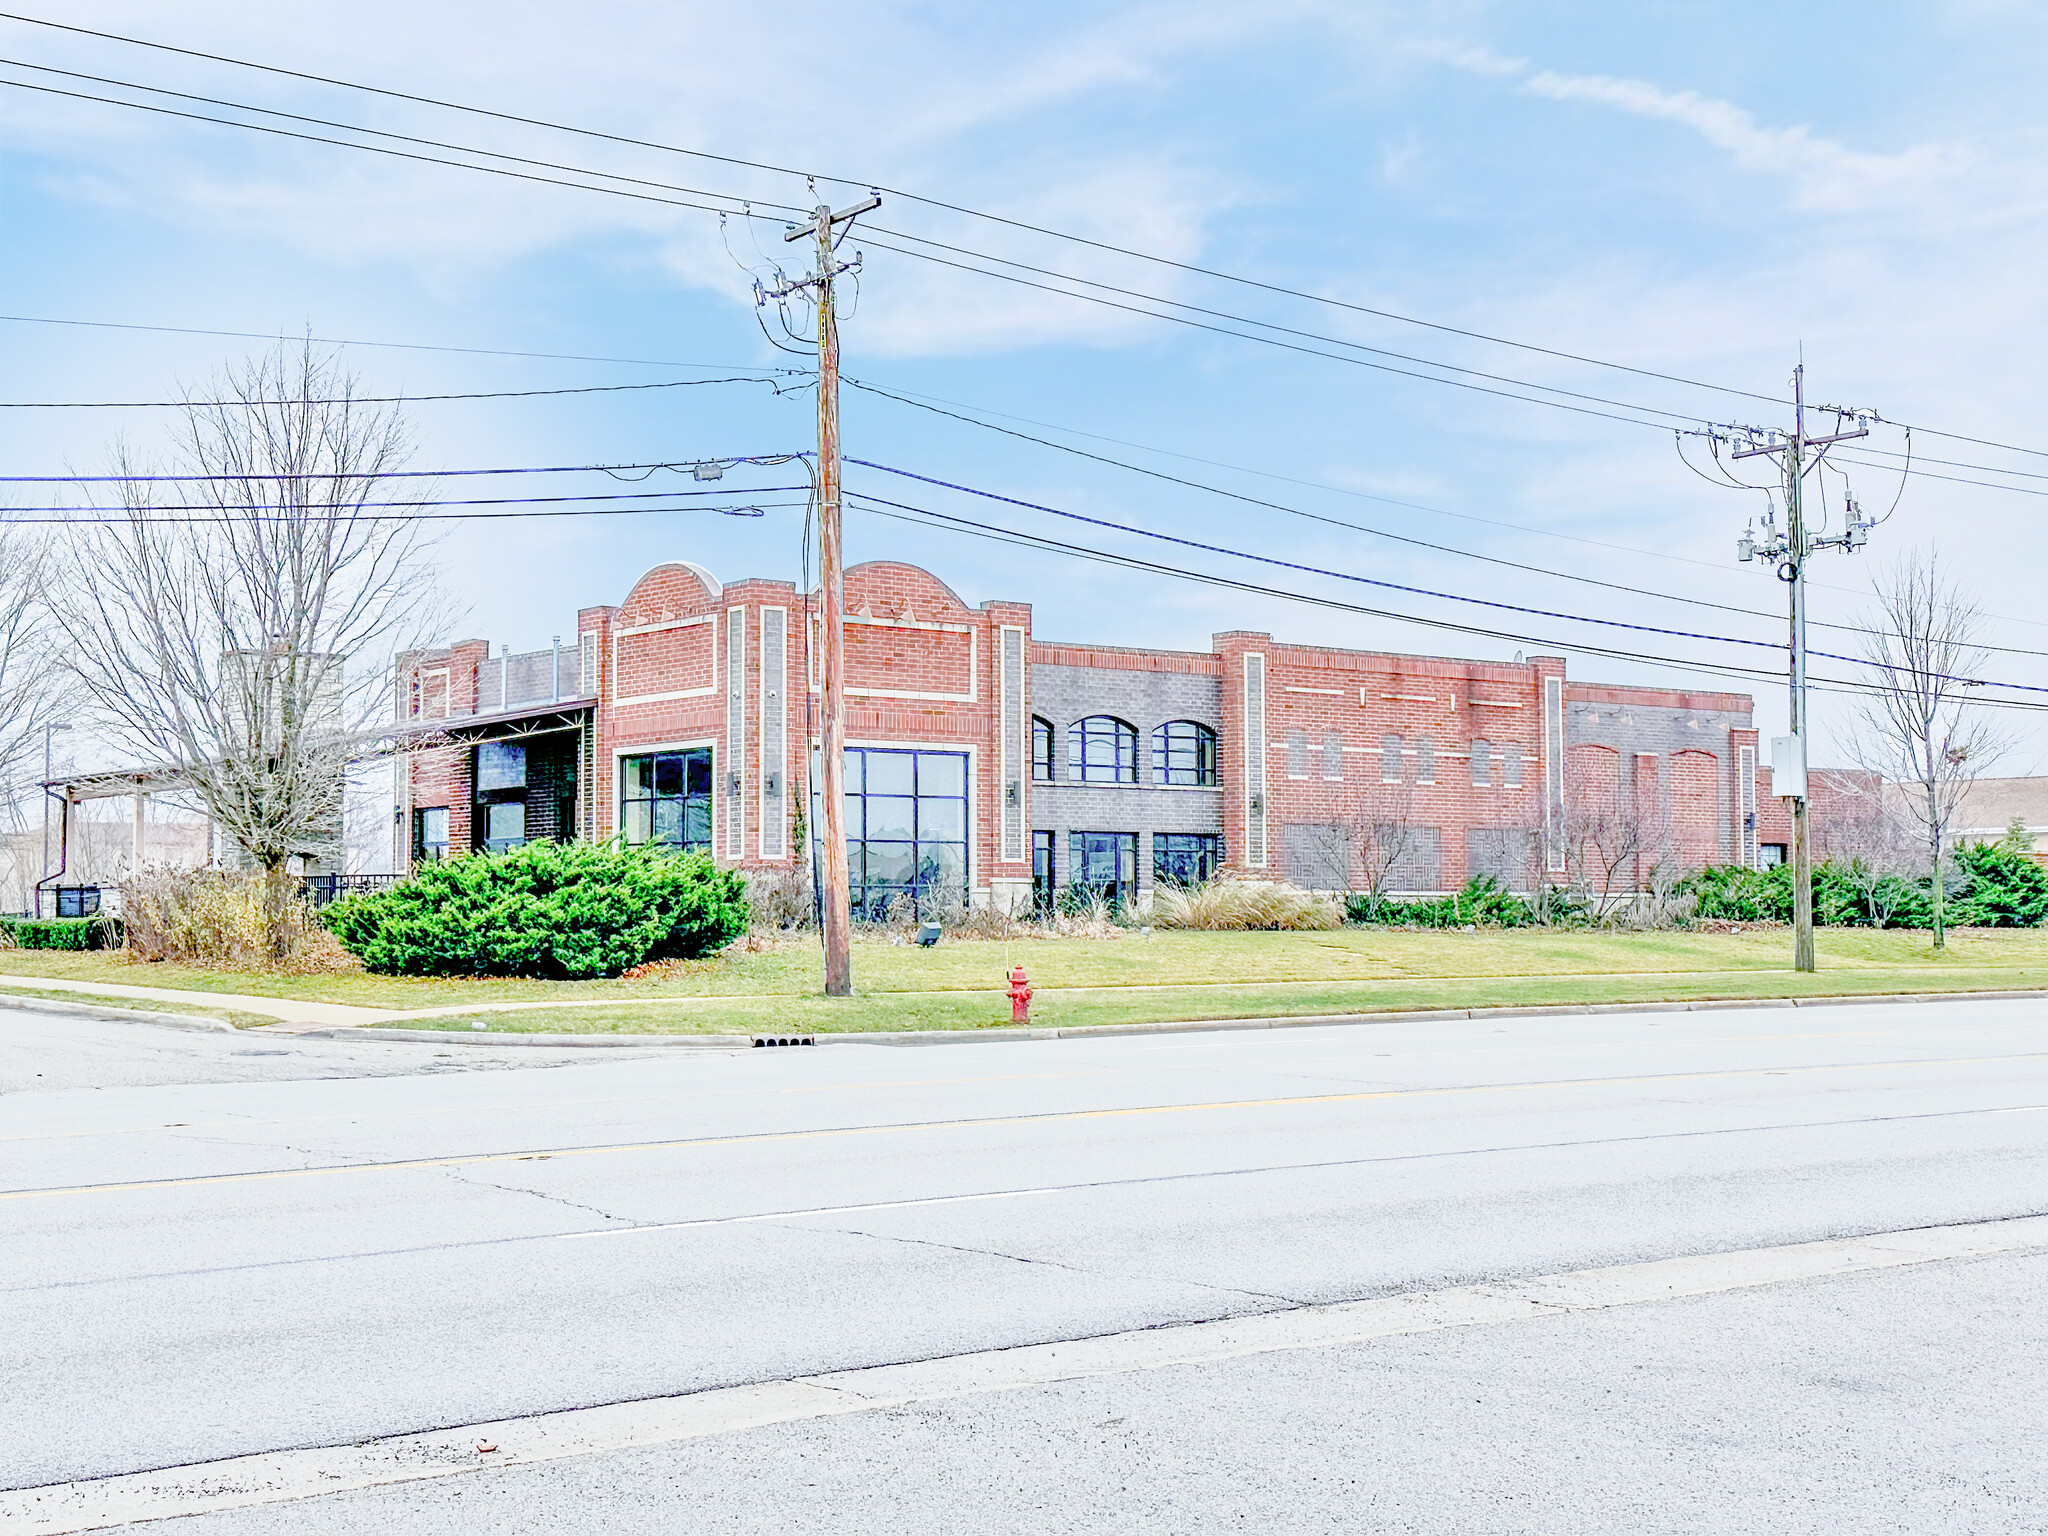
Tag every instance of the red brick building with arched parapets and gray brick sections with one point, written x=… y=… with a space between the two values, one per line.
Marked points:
x=986 y=765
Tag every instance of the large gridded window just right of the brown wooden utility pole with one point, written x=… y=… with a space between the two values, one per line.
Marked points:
x=906 y=828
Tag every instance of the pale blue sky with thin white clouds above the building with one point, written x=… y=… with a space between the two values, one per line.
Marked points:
x=1705 y=191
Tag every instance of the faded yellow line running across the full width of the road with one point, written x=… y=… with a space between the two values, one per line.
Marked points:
x=1058 y=1117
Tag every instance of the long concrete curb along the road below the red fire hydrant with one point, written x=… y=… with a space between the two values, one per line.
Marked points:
x=1170 y=1027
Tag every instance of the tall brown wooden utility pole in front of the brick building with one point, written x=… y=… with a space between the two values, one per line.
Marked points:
x=837 y=919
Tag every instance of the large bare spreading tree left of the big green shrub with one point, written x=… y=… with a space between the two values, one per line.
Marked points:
x=239 y=626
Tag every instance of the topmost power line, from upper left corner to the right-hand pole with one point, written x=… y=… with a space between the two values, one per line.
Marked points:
x=914 y=198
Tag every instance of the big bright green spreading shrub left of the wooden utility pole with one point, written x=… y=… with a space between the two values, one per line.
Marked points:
x=546 y=910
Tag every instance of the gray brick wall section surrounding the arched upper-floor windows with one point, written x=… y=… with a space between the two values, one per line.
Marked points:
x=1146 y=699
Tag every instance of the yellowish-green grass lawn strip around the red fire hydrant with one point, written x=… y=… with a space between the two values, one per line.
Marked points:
x=1154 y=978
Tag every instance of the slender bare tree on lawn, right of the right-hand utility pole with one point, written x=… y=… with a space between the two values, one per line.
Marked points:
x=1920 y=724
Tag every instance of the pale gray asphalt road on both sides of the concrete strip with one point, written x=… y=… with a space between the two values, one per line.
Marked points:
x=251 y=1252
